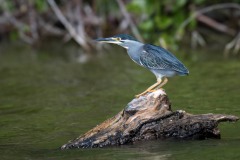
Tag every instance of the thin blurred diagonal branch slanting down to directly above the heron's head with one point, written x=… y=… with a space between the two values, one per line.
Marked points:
x=129 y=20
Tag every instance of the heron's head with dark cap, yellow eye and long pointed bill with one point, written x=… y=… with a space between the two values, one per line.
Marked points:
x=123 y=40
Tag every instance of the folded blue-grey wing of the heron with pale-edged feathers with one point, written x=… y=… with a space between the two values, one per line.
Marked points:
x=154 y=57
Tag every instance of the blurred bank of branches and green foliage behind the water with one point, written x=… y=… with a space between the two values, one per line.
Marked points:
x=165 y=22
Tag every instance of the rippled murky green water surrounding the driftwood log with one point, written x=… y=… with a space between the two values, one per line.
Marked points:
x=47 y=98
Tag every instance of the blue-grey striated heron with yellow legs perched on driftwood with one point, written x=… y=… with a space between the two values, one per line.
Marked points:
x=158 y=60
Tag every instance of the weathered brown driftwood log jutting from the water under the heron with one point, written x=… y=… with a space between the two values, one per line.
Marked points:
x=150 y=117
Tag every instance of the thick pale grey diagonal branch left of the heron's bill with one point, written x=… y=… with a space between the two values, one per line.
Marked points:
x=79 y=38
